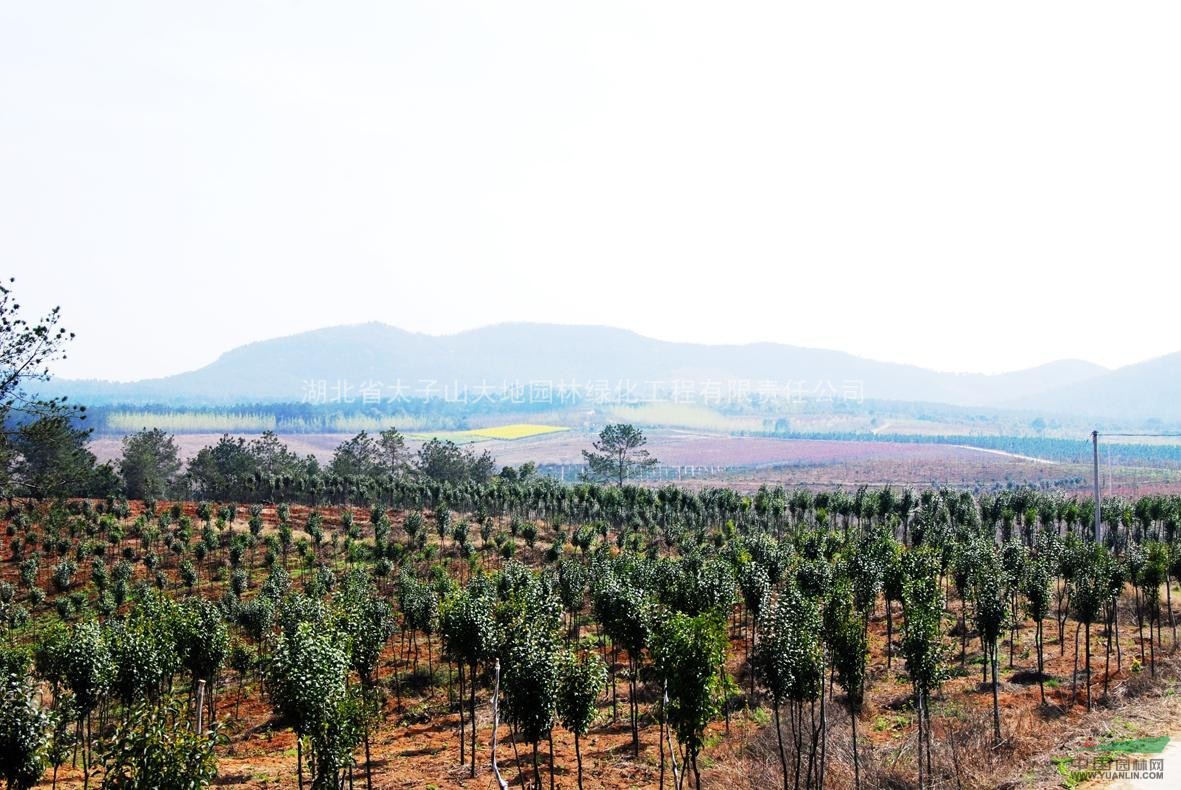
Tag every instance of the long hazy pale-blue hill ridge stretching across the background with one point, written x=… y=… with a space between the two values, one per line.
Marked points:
x=278 y=370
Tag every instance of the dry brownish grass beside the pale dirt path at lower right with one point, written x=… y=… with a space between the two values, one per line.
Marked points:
x=1036 y=739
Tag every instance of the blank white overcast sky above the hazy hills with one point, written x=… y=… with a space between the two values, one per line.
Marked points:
x=967 y=187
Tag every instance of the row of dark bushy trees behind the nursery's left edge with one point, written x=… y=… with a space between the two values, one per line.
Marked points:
x=50 y=459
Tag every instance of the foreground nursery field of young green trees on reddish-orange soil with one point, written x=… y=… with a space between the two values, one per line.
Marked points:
x=616 y=637
